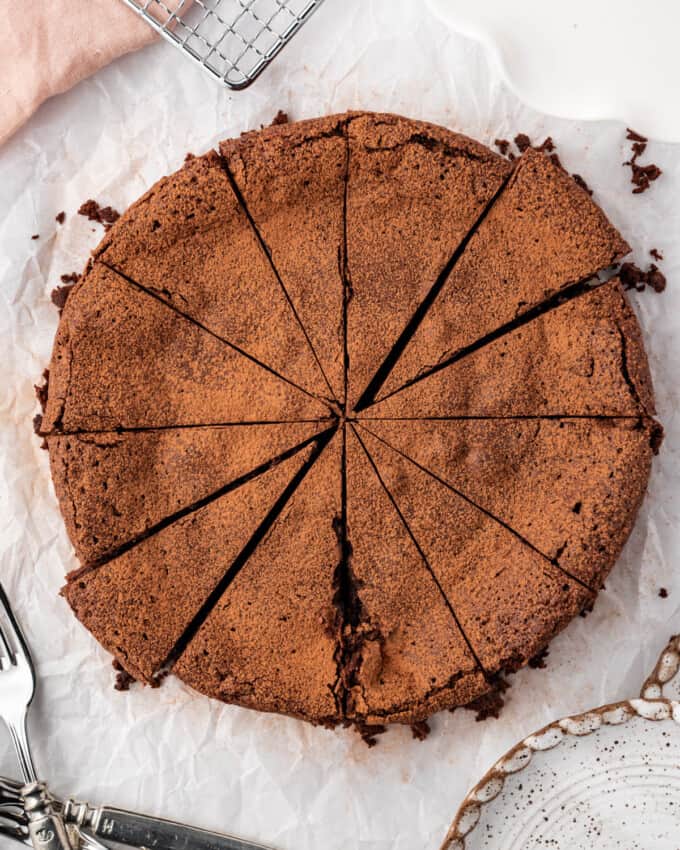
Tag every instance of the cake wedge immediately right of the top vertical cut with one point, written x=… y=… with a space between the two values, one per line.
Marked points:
x=414 y=192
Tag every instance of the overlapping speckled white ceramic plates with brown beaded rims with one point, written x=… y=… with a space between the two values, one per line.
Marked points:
x=606 y=779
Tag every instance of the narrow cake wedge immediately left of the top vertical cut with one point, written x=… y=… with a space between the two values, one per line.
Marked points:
x=292 y=180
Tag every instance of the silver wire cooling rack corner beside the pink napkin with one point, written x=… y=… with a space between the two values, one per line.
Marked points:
x=233 y=40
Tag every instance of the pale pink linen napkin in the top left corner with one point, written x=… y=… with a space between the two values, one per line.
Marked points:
x=50 y=45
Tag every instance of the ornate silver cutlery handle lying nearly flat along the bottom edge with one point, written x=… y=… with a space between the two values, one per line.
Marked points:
x=135 y=830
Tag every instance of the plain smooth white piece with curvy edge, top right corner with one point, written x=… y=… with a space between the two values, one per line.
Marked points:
x=586 y=59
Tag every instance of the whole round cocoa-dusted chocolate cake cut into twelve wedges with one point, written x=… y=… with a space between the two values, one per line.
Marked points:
x=342 y=422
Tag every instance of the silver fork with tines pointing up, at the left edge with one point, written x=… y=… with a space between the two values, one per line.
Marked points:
x=17 y=687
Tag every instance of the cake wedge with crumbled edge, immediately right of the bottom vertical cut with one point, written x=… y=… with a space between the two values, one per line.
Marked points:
x=405 y=656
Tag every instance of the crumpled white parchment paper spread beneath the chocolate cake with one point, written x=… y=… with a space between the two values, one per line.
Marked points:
x=176 y=754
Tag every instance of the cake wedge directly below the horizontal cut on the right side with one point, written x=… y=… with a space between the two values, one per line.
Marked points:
x=570 y=487
